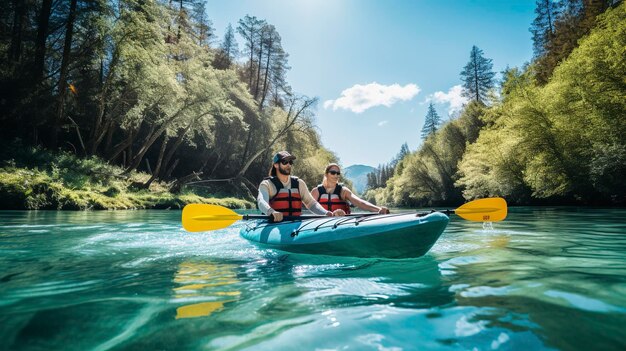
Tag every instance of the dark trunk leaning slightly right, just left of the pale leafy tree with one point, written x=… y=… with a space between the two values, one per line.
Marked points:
x=62 y=86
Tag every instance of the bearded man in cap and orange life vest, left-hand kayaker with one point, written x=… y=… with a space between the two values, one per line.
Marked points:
x=281 y=194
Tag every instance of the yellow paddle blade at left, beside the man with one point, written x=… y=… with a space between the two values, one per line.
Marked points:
x=203 y=217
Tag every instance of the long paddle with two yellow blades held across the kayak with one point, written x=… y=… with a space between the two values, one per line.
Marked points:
x=203 y=217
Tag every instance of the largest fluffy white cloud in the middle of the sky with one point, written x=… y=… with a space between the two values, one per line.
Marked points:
x=359 y=98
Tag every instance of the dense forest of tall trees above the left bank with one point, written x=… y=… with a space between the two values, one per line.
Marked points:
x=146 y=86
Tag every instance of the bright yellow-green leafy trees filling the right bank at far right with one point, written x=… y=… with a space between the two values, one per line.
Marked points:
x=565 y=139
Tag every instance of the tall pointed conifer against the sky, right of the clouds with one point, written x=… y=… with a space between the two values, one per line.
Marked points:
x=477 y=76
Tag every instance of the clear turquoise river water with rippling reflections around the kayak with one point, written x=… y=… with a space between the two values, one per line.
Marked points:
x=546 y=278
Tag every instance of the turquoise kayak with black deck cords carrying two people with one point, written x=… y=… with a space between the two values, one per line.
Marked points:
x=386 y=236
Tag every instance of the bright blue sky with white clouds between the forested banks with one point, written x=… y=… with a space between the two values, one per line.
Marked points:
x=375 y=65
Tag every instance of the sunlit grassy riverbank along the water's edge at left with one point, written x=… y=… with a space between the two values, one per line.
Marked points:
x=36 y=179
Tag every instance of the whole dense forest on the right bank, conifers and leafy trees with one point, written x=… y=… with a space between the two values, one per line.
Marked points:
x=551 y=132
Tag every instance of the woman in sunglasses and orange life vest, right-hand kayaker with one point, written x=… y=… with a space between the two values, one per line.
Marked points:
x=334 y=197
